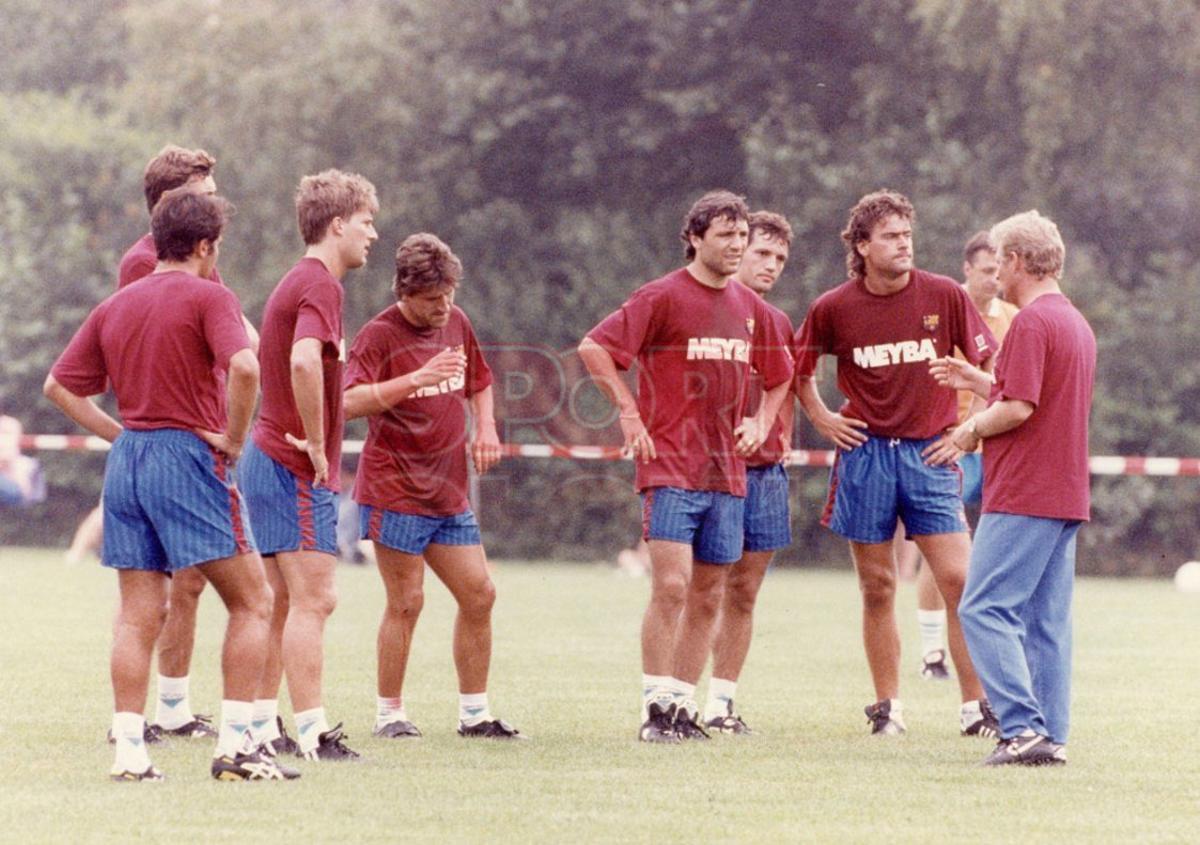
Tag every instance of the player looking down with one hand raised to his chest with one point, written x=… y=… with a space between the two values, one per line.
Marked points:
x=413 y=370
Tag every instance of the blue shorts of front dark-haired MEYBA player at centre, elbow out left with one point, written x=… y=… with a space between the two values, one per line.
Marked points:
x=710 y=522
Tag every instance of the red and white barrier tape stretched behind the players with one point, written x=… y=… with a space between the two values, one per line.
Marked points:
x=1100 y=465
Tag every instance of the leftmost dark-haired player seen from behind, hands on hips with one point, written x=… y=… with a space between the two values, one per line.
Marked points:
x=170 y=499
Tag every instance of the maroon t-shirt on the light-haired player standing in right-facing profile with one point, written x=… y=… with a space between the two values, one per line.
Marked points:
x=307 y=303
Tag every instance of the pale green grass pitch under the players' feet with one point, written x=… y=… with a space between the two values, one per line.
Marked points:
x=566 y=670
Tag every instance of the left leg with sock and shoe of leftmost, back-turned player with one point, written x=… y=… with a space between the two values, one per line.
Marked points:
x=140 y=619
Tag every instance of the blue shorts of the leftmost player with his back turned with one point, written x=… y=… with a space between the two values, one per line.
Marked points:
x=170 y=502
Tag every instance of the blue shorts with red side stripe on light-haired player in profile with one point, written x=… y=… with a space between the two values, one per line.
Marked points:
x=289 y=514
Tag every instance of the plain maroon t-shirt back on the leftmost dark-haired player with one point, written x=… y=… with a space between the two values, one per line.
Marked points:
x=159 y=345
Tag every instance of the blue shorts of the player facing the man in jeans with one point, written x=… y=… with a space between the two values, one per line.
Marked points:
x=887 y=478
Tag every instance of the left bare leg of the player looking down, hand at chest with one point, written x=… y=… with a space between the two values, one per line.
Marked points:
x=404 y=577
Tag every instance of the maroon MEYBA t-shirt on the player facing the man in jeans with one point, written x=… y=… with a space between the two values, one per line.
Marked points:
x=884 y=345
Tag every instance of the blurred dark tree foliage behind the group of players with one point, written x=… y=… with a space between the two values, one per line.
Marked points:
x=557 y=146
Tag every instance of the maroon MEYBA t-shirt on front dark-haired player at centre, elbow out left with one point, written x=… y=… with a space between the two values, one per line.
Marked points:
x=694 y=346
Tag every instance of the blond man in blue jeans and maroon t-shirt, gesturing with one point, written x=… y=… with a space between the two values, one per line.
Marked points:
x=1016 y=609
